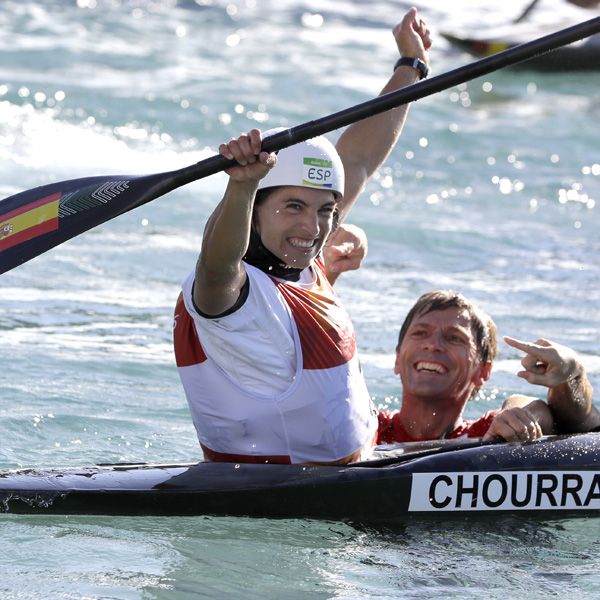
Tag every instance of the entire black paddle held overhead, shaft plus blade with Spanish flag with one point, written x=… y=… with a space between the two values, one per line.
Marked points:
x=34 y=221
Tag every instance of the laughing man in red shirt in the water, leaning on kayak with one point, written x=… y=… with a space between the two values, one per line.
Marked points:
x=444 y=355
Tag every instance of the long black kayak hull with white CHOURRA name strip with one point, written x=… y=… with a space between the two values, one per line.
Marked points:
x=558 y=476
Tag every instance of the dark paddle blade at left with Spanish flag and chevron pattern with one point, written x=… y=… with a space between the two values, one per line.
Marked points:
x=36 y=220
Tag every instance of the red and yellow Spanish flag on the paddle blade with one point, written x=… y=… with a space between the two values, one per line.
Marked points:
x=29 y=221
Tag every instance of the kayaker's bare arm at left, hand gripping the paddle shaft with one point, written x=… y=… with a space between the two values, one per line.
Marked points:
x=220 y=274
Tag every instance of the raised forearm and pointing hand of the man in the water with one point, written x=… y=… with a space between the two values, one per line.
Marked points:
x=569 y=391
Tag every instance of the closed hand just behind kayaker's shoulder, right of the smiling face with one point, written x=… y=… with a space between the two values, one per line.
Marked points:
x=345 y=250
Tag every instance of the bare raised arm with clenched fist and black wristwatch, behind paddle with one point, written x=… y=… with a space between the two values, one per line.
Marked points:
x=364 y=146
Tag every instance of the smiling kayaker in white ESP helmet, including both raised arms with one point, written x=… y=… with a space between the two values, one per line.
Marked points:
x=265 y=351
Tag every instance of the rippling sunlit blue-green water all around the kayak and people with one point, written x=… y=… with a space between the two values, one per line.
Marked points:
x=493 y=191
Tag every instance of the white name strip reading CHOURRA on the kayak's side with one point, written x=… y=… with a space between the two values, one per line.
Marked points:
x=505 y=490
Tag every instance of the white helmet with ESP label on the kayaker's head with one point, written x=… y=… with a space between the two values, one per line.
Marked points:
x=314 y=163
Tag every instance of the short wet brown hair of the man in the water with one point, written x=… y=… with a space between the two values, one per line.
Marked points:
x=482 y=325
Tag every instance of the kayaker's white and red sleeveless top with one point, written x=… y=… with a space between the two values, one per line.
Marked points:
x=278 y=380
